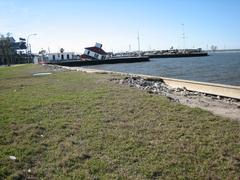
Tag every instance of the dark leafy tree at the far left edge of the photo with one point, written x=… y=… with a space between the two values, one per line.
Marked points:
x=6 y=50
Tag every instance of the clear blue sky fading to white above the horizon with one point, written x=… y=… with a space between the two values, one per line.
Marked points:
x=75 y=24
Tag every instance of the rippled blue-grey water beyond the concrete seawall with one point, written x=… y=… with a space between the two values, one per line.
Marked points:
x=223 y=68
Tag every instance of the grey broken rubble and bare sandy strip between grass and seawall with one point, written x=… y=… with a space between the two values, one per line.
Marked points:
x=224 y=106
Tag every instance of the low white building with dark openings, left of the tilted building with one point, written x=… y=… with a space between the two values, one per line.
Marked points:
x=61 y=56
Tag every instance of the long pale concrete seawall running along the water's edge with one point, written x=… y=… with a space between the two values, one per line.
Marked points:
x=208 y=88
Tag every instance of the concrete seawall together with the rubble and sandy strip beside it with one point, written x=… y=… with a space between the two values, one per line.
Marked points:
x=222 y=100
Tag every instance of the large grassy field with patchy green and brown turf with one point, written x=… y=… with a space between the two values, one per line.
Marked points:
x=83 y=126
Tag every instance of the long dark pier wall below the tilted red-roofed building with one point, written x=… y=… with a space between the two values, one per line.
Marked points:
x=114 y=60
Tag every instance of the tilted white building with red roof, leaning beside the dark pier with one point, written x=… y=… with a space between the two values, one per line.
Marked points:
x=95 y=52
